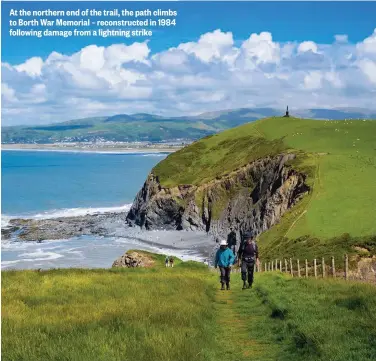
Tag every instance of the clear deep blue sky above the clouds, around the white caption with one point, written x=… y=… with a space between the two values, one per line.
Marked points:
x=287 y=21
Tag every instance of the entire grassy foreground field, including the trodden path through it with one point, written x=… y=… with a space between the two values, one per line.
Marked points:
x=179 y=314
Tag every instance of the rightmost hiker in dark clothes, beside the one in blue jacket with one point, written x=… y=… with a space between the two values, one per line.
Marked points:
x=247 y=256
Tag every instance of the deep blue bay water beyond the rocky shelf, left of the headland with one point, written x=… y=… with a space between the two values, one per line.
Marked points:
x=38 y=183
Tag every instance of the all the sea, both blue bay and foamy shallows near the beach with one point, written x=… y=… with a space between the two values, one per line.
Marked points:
x=49 y=184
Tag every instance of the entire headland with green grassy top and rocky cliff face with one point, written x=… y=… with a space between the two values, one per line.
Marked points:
x=306 y=187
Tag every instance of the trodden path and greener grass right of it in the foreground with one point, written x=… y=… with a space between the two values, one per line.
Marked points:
x=266 y=323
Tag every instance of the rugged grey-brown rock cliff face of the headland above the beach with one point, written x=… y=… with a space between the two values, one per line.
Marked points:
x=253 y=197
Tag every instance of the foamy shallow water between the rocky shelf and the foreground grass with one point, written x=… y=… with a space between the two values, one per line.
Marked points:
x=84 y=251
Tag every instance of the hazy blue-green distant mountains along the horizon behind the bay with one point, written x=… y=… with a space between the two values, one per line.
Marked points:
x=154 y=128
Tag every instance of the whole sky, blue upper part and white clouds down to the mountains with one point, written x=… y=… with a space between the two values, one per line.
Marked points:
x=220 y=55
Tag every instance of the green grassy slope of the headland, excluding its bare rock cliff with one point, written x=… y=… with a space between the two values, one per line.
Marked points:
x=339 y=158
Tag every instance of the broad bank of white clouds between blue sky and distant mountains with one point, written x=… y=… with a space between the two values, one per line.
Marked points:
x=209 y=74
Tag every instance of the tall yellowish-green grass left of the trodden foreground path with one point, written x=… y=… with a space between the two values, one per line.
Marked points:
x=138 y=314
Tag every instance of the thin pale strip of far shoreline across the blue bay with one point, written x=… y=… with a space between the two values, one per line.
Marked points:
x=99 y=149
